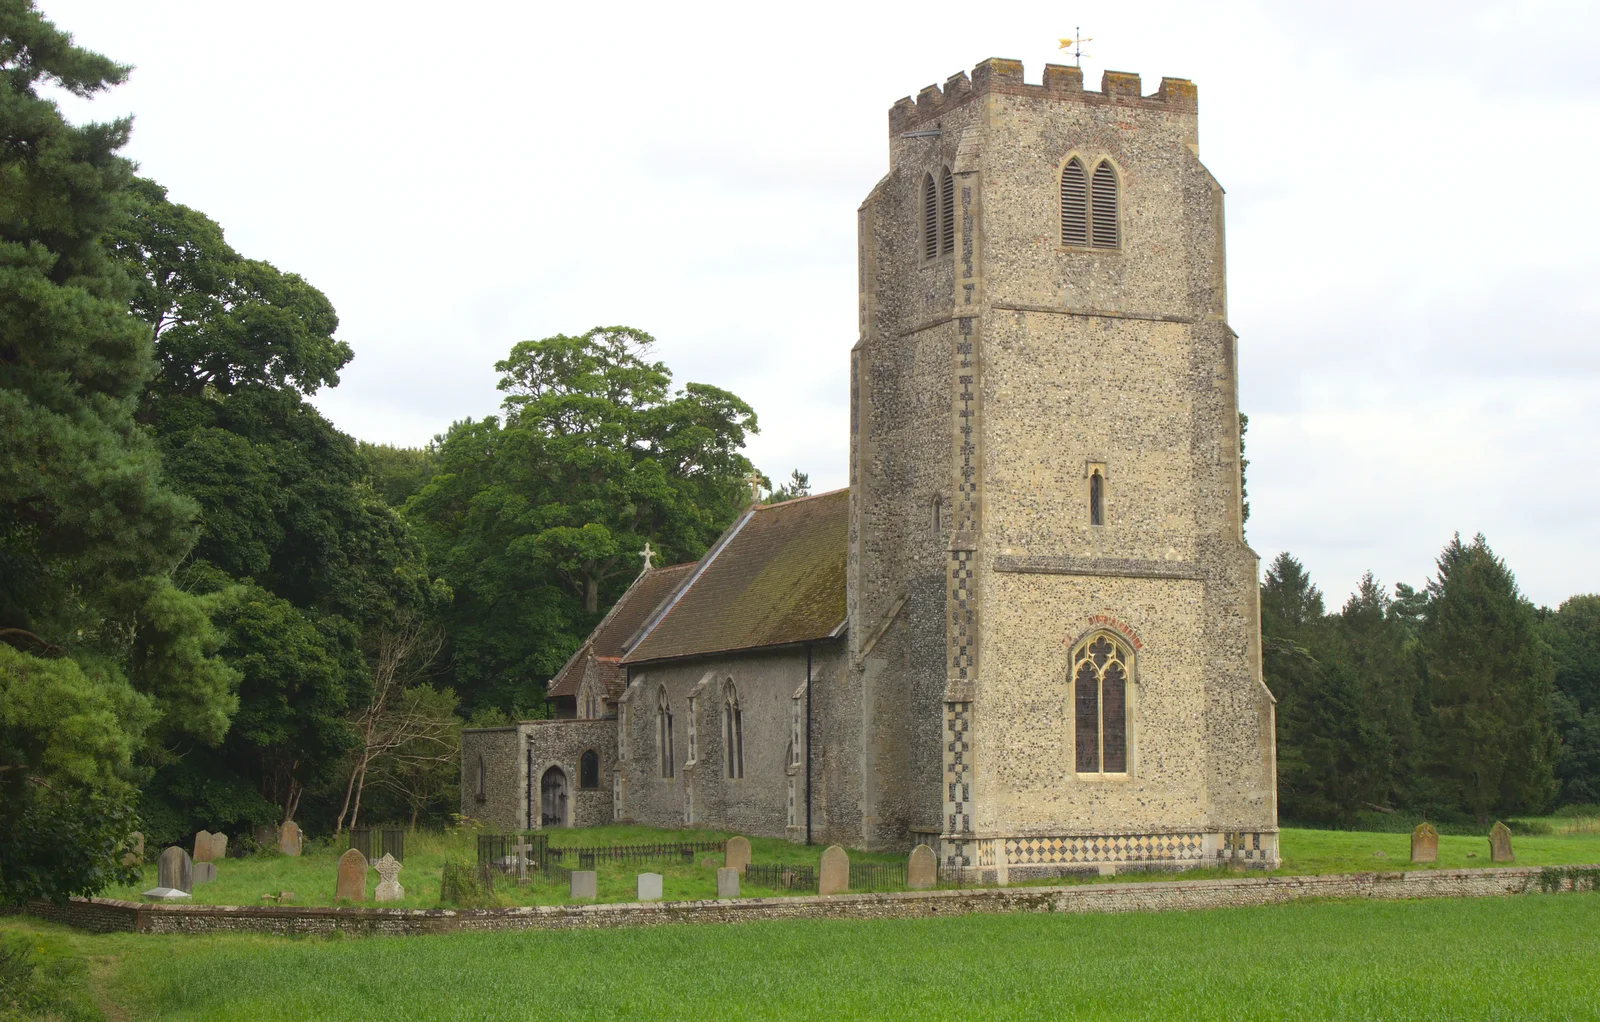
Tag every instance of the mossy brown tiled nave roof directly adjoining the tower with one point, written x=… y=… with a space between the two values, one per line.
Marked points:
x=775 y=578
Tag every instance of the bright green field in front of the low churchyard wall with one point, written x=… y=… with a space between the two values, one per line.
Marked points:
x=1473 y=959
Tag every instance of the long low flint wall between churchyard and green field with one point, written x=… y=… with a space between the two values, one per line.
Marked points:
x=106 y=916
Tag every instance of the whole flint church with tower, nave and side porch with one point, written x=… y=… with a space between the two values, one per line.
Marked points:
x=1028 y=634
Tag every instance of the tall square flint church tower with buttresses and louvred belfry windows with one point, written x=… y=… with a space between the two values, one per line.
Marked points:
x=1054 y=615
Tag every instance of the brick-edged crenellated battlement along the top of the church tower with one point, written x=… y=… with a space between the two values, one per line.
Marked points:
x=1001 y=76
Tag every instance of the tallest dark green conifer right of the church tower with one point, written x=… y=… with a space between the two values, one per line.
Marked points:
x=1489 y=682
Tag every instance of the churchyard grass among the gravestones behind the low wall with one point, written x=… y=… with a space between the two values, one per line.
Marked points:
x=311 y=877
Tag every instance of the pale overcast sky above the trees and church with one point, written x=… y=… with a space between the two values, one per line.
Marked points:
x=1412 y=218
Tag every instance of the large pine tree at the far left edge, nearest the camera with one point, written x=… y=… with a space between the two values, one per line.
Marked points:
x=102 y=658
